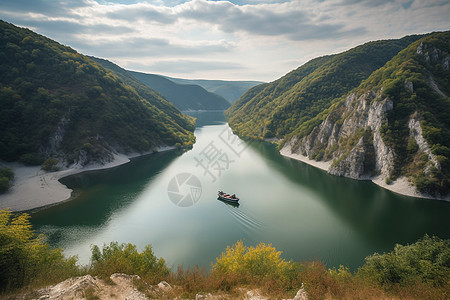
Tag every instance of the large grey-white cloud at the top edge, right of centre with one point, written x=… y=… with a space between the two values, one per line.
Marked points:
x=290 y=20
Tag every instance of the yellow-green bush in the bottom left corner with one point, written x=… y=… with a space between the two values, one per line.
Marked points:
x=25 y=259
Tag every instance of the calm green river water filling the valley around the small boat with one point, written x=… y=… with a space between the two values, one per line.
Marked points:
x=302 y=211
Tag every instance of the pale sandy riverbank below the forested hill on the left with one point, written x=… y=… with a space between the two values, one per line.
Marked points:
x=34 y=188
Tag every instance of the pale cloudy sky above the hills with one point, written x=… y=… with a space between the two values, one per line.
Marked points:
x=230 y=40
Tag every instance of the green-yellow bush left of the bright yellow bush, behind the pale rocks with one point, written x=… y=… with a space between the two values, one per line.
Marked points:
x=124 y=258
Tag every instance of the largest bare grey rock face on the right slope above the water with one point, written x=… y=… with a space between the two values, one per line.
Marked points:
x=350 y=138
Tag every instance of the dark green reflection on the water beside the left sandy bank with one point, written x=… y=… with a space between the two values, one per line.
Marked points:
x=102 y=192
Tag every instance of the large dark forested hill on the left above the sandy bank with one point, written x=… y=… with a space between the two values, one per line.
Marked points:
x=55 y=102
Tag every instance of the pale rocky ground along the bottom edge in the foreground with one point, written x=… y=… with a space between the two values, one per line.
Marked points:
x=132 y=287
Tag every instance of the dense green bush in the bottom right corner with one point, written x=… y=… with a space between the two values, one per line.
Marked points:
x=427 y=261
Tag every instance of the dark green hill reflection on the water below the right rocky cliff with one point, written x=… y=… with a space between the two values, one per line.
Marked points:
x=379 y=216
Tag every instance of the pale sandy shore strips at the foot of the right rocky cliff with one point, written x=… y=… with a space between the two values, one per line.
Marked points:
x=400 y=186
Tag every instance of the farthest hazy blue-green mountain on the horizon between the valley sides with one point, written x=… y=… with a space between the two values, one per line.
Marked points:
x=230 y=90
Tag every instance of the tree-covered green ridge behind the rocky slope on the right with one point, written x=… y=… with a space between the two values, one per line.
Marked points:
x=284 y=105
